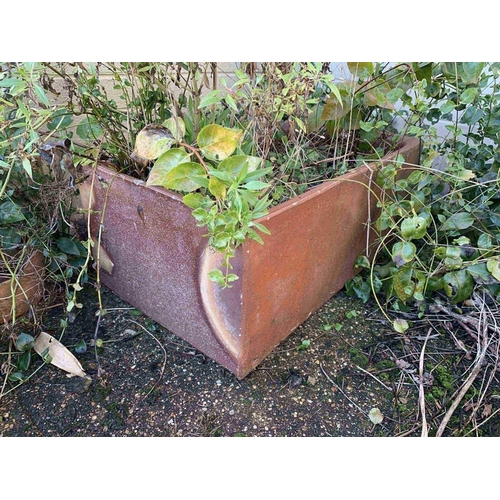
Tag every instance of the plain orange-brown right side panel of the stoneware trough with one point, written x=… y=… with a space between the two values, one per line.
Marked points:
x=310 y=254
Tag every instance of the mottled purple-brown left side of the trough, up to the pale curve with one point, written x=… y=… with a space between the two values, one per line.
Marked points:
x=155 y=247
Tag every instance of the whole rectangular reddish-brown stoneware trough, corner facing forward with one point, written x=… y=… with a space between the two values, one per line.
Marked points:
x=153 y=256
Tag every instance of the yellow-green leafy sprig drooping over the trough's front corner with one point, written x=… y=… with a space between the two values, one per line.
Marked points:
x=228 y=195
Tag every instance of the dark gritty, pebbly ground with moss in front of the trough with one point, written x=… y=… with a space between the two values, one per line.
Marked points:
x=323 y=380
